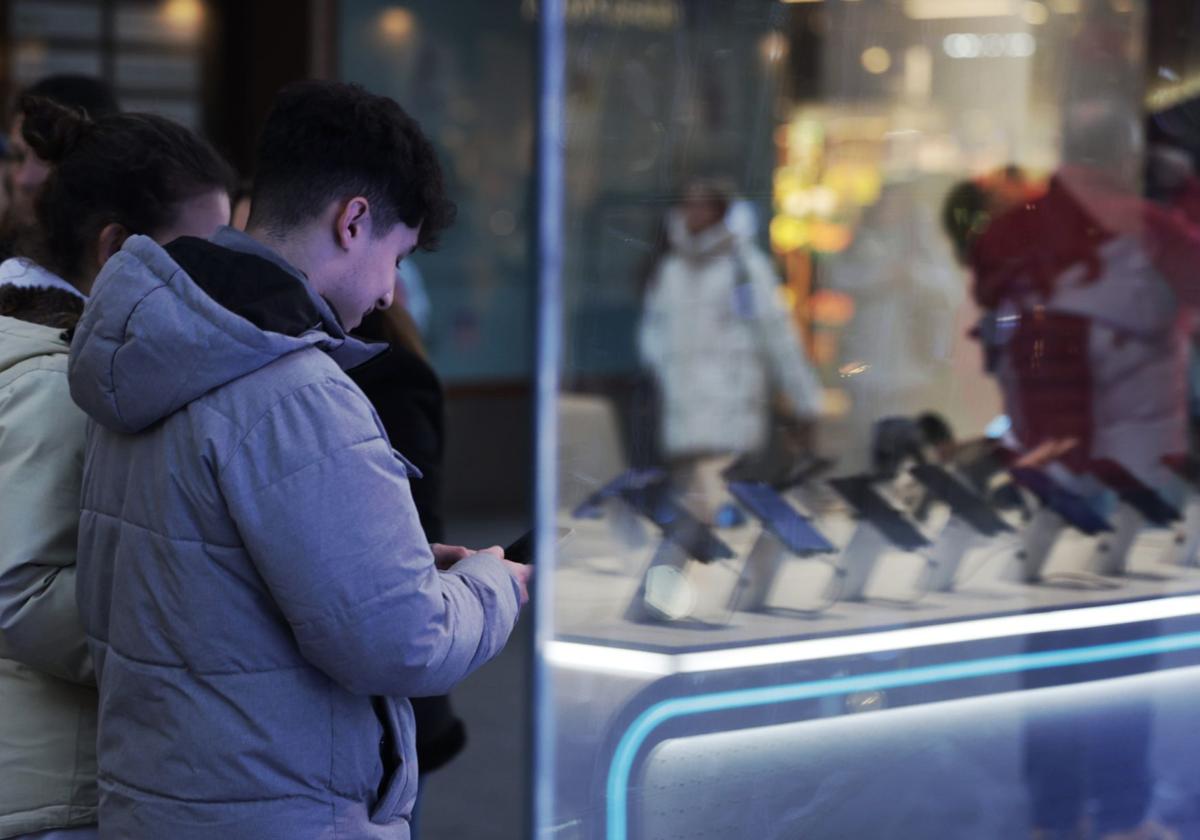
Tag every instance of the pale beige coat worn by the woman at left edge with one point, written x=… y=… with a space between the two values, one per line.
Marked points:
x=47 y=698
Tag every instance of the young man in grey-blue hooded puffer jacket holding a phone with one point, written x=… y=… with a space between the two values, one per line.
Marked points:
x=253 y=577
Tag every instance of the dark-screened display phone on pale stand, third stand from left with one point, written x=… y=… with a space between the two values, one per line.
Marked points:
x=881 y=529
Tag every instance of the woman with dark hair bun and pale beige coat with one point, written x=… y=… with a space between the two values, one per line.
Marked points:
x=107 y=179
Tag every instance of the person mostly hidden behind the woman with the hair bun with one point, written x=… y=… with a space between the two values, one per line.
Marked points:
x=26 y=171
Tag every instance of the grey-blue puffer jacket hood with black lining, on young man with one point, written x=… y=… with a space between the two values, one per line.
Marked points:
x=167 y=326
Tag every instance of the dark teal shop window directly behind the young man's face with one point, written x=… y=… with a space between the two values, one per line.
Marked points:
x=467 y=73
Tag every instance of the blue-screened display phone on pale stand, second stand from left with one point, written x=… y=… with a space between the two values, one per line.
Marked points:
x=785 y=535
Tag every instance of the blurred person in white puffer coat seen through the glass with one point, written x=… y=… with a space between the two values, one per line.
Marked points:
x=719 y=345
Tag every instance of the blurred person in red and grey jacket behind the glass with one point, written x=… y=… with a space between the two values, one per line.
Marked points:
x=1089 y=293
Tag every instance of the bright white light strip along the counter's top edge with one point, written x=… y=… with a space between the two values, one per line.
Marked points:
x=626 y=661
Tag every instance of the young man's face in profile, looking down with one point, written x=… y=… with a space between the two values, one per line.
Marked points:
x=370 y=281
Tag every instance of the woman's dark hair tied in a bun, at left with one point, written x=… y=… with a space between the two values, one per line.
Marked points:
x=134 y=170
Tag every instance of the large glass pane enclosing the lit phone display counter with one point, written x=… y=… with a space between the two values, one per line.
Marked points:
x=878 y=506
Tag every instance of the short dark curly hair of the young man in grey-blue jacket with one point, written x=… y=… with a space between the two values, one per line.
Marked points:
x=329 y=141
